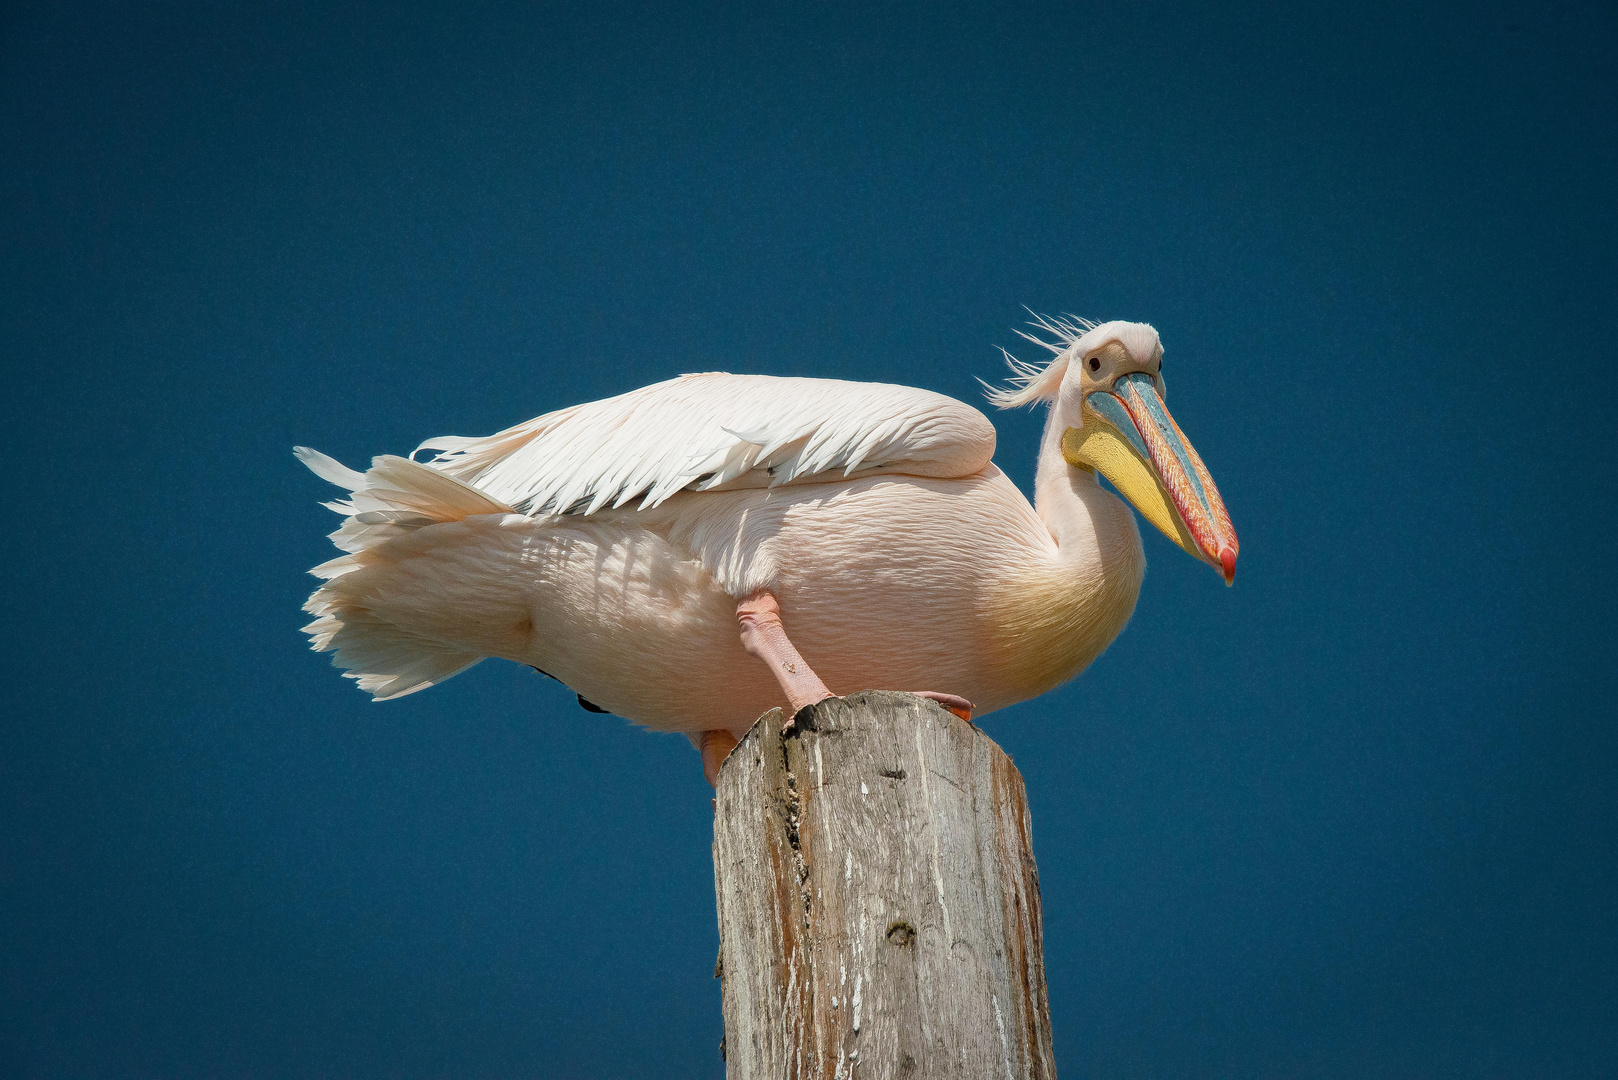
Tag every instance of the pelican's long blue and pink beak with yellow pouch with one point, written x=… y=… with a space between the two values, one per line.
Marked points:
x=1132 y=440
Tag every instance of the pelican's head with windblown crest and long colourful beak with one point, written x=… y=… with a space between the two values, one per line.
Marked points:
x=1108 y=388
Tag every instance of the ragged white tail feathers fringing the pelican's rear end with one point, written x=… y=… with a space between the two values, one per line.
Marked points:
x=391 y=501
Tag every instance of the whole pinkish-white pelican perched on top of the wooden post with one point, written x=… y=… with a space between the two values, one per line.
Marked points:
x=656 y=550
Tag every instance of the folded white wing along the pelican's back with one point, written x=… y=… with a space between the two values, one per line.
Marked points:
x=718 y=432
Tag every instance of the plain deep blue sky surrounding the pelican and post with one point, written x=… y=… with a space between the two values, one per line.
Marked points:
x=1352 y=819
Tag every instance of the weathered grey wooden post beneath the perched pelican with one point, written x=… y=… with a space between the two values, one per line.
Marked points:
x=878 y=899
